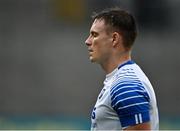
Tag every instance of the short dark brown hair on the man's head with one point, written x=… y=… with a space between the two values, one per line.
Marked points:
x=121 y=21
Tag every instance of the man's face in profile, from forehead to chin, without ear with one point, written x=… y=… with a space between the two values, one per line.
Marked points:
x=99 y=42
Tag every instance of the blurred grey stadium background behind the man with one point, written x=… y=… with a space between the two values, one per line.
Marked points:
x=46 y=78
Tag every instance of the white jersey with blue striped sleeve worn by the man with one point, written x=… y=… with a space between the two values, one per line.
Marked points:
x=126 y=99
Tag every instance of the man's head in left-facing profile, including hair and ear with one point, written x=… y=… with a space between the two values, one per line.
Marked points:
x=111 y=28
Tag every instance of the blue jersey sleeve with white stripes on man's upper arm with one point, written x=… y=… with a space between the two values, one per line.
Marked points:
x=131 y=102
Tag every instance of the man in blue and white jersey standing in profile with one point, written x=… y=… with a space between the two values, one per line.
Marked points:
x=127 y=100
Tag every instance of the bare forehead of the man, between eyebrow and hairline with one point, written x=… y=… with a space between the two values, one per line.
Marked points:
x=98 y=25
